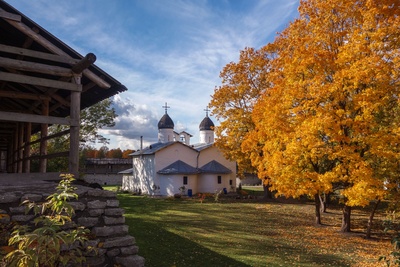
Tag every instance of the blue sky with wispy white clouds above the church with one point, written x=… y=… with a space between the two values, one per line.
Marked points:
x=161 y=50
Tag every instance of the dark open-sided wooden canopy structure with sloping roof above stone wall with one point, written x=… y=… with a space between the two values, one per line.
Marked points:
x=42 y=82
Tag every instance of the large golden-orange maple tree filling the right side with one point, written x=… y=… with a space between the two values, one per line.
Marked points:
x=331 y=117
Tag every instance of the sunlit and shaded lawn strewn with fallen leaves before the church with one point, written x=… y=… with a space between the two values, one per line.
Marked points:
x=186 y=232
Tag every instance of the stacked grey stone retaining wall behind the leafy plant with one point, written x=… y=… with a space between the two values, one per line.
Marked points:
x=97 y=210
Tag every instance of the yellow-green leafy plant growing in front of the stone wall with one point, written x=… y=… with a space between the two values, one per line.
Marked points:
x=48 y=244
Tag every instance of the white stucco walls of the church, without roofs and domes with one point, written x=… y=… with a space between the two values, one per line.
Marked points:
x=145 y=170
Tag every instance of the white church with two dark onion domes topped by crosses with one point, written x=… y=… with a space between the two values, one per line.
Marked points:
x=174 y=166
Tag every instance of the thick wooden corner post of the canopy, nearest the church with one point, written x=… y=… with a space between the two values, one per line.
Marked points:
x=74 y=129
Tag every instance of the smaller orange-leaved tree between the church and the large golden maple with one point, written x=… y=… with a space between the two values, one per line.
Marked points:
x=233 y=101
